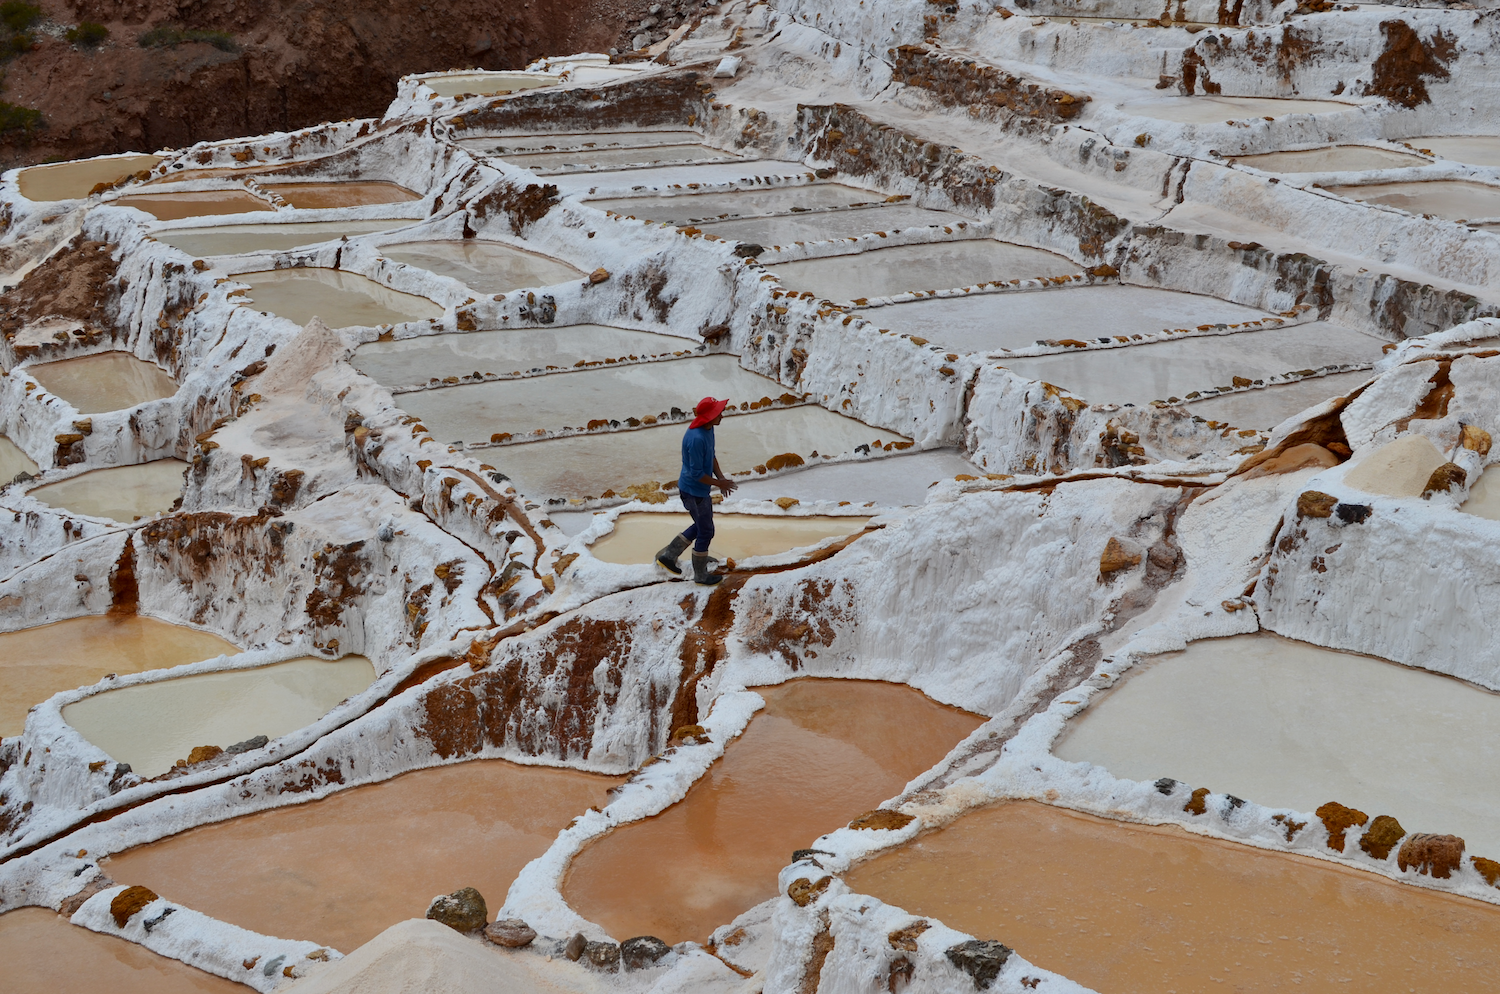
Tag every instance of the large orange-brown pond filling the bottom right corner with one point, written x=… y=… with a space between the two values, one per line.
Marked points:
x=1129 y=908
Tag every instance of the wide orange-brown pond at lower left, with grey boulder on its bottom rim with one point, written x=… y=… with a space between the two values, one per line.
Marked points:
x=344 y=869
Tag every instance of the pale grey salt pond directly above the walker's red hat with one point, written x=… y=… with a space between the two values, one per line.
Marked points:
x=473 y=413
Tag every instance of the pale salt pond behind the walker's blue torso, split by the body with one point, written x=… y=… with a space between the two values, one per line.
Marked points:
x=587 y=466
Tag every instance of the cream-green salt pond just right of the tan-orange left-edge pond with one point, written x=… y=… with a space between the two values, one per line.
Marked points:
x=152 y=726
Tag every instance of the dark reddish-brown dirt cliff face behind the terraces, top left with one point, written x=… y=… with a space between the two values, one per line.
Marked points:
x=286 y=64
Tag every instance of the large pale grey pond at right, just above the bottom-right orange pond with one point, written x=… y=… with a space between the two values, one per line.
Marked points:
x=1255 y=716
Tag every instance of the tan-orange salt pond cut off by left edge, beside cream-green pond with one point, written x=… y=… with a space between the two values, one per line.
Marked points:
x=37 y=663
